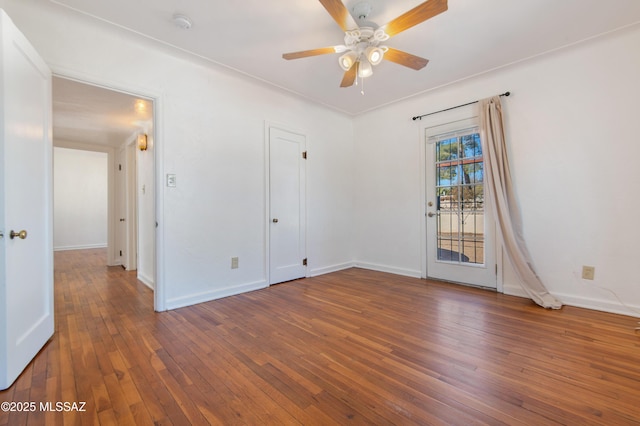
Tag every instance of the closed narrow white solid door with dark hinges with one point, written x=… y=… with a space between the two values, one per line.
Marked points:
x=286 y=206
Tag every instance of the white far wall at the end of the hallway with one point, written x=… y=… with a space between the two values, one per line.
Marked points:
x=80 y=199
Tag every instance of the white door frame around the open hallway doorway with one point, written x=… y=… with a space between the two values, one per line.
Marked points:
x=159 y=298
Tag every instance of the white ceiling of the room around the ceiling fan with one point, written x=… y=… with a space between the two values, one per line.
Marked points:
x=472 y=37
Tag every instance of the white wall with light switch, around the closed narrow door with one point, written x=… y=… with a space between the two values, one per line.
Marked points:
x=211 y=135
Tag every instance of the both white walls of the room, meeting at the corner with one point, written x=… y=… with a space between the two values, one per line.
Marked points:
x=570 y=123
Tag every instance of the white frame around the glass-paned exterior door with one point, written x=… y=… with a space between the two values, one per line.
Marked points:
x=458 y=114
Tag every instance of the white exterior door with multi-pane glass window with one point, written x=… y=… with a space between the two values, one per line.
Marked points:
x=460 y=227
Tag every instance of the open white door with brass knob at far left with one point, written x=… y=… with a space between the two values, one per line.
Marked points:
x=26 y=245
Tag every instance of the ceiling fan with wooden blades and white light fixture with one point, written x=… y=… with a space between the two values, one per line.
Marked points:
x=363 y=48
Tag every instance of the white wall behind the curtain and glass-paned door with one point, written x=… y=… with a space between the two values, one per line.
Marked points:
x=573 y=139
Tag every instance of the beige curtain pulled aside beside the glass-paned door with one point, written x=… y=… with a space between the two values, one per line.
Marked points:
x=502 y=196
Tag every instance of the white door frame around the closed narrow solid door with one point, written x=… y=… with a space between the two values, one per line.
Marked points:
x=267 y=210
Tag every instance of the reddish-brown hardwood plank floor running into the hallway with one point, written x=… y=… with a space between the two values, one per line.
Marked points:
x=352 y=347
